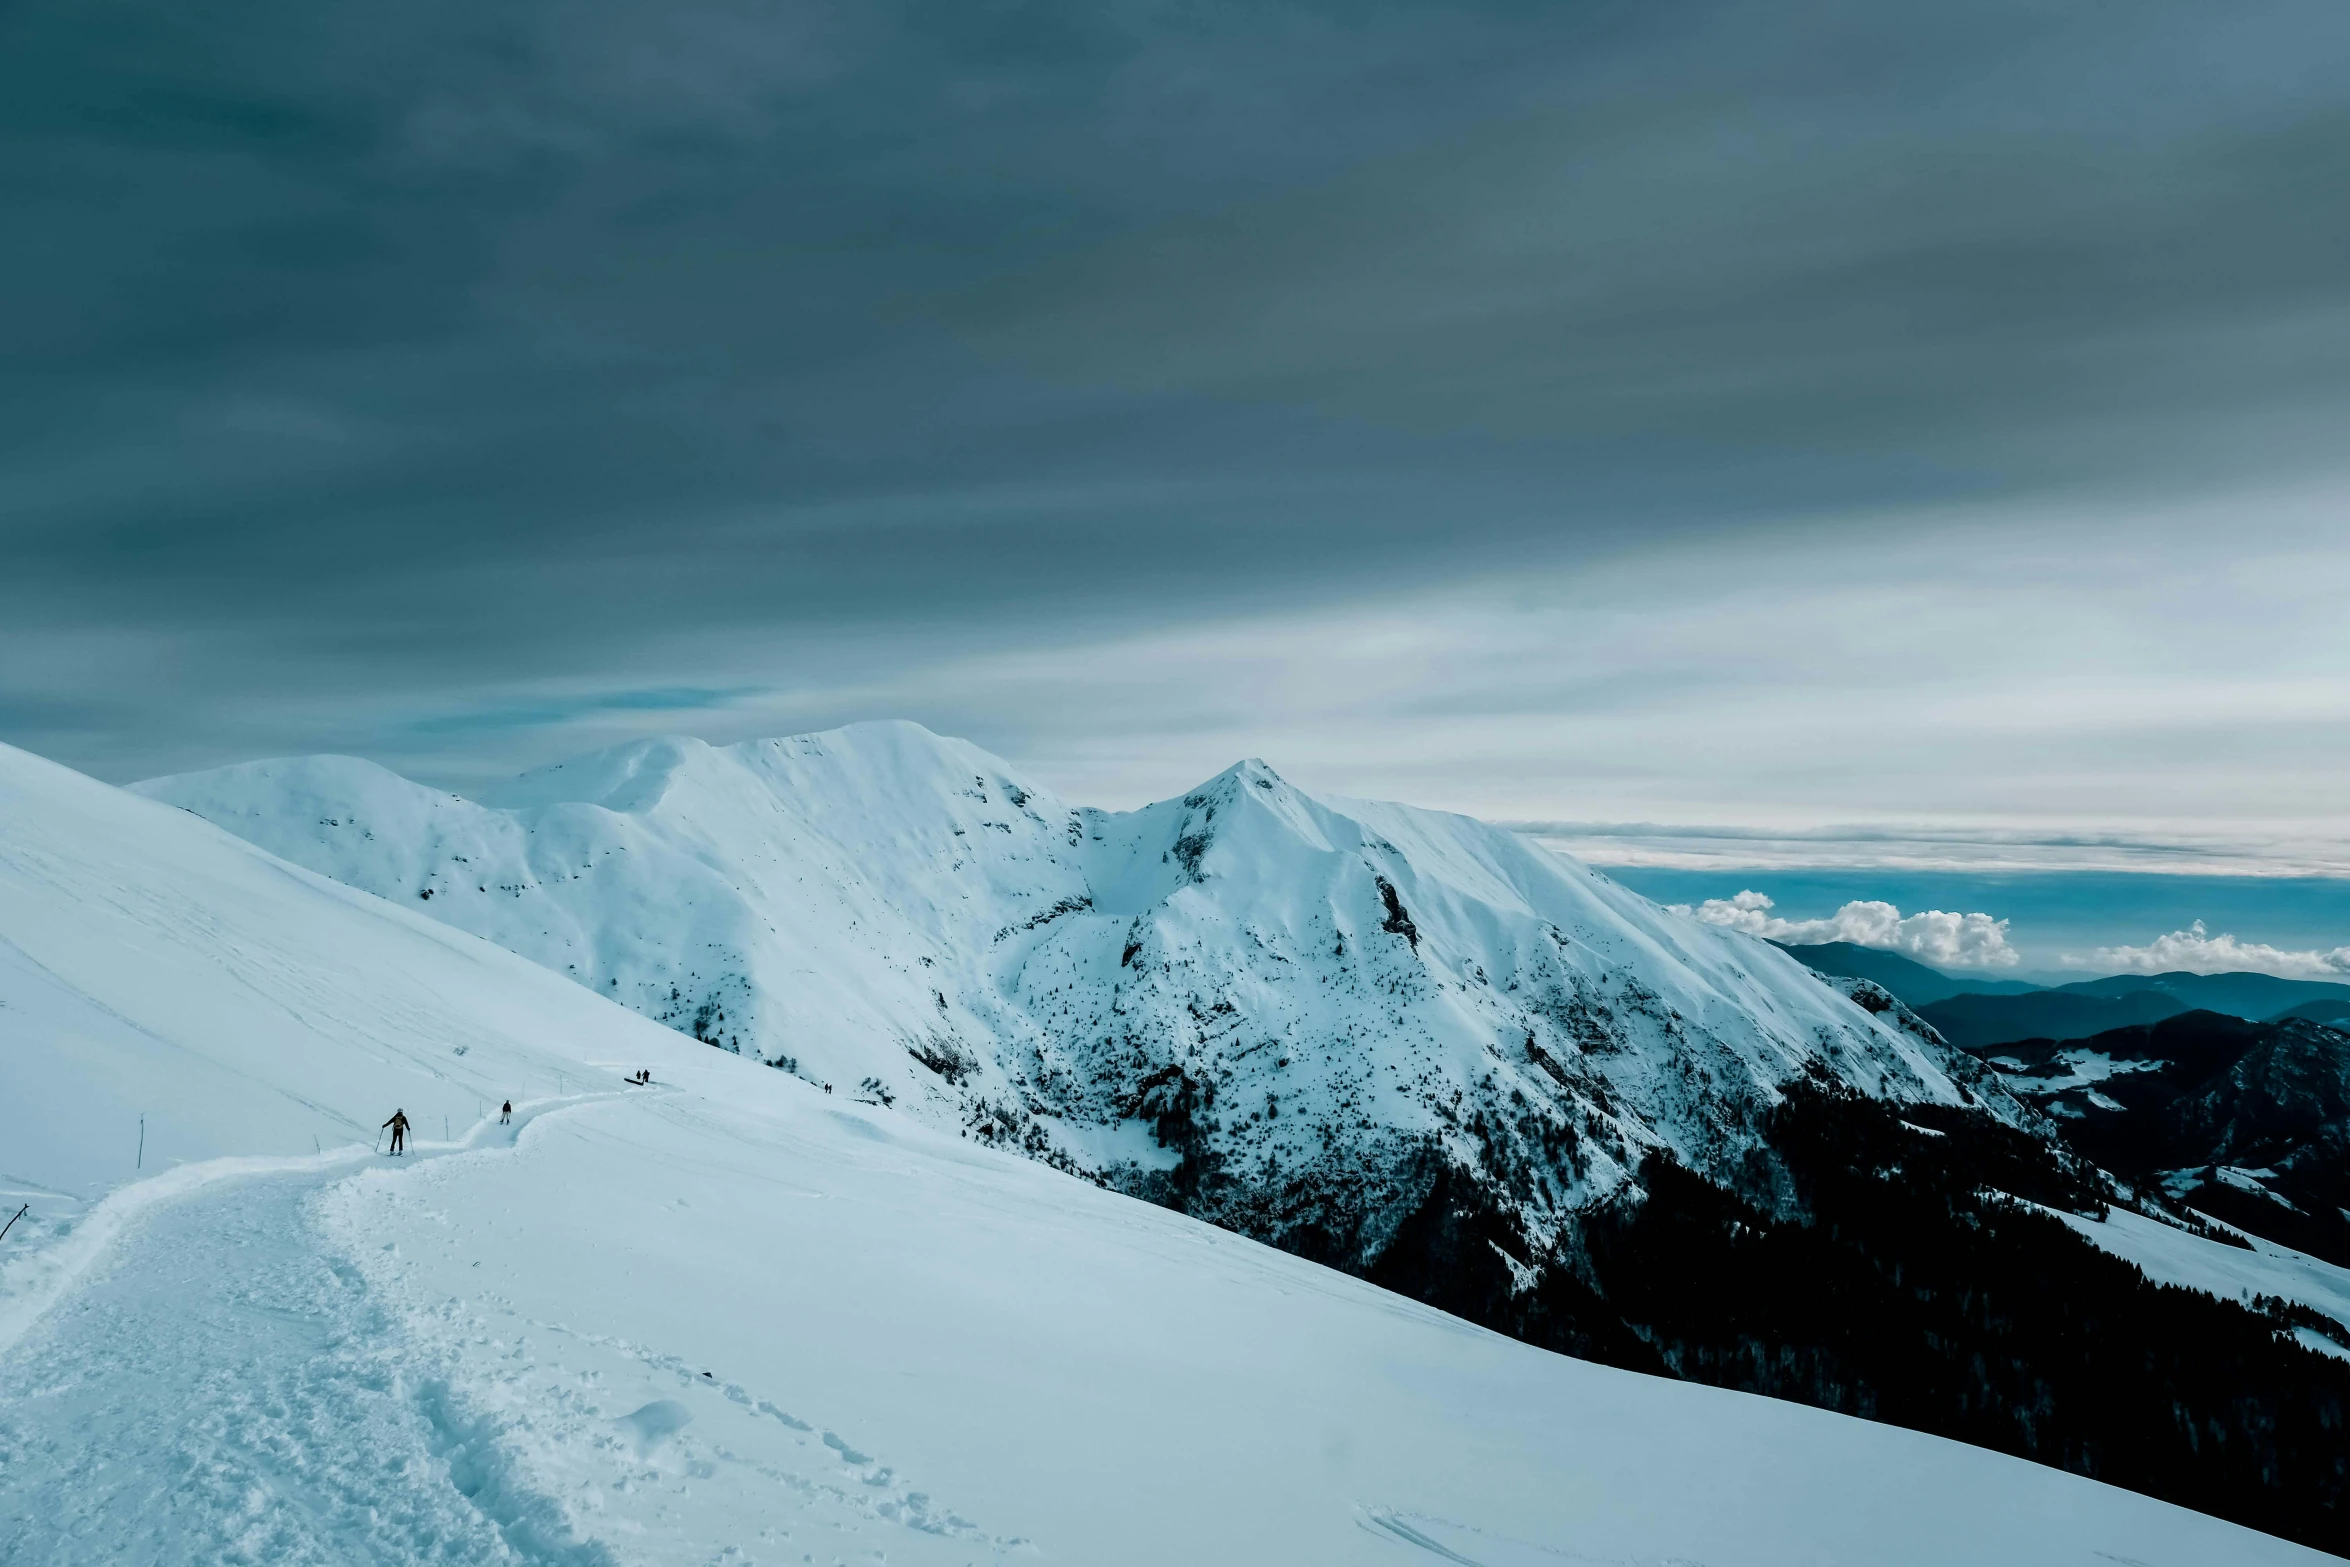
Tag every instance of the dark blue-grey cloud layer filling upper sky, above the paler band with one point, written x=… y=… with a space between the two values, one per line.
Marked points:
x=370 y=363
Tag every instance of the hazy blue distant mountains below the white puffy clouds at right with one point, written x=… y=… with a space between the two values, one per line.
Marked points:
x=1975 y=1014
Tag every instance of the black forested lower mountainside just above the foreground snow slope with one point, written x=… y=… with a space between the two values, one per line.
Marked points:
x=1881 y=1263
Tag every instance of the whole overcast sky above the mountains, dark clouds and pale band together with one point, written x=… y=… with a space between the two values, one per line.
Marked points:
x=1869 y=429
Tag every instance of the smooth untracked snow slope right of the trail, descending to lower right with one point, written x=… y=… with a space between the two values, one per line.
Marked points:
x=720 y=1331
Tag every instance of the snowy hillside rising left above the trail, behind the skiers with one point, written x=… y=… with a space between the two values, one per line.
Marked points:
x=173 y=1000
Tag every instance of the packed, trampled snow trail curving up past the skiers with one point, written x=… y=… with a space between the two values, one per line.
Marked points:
x=224 y=1390
